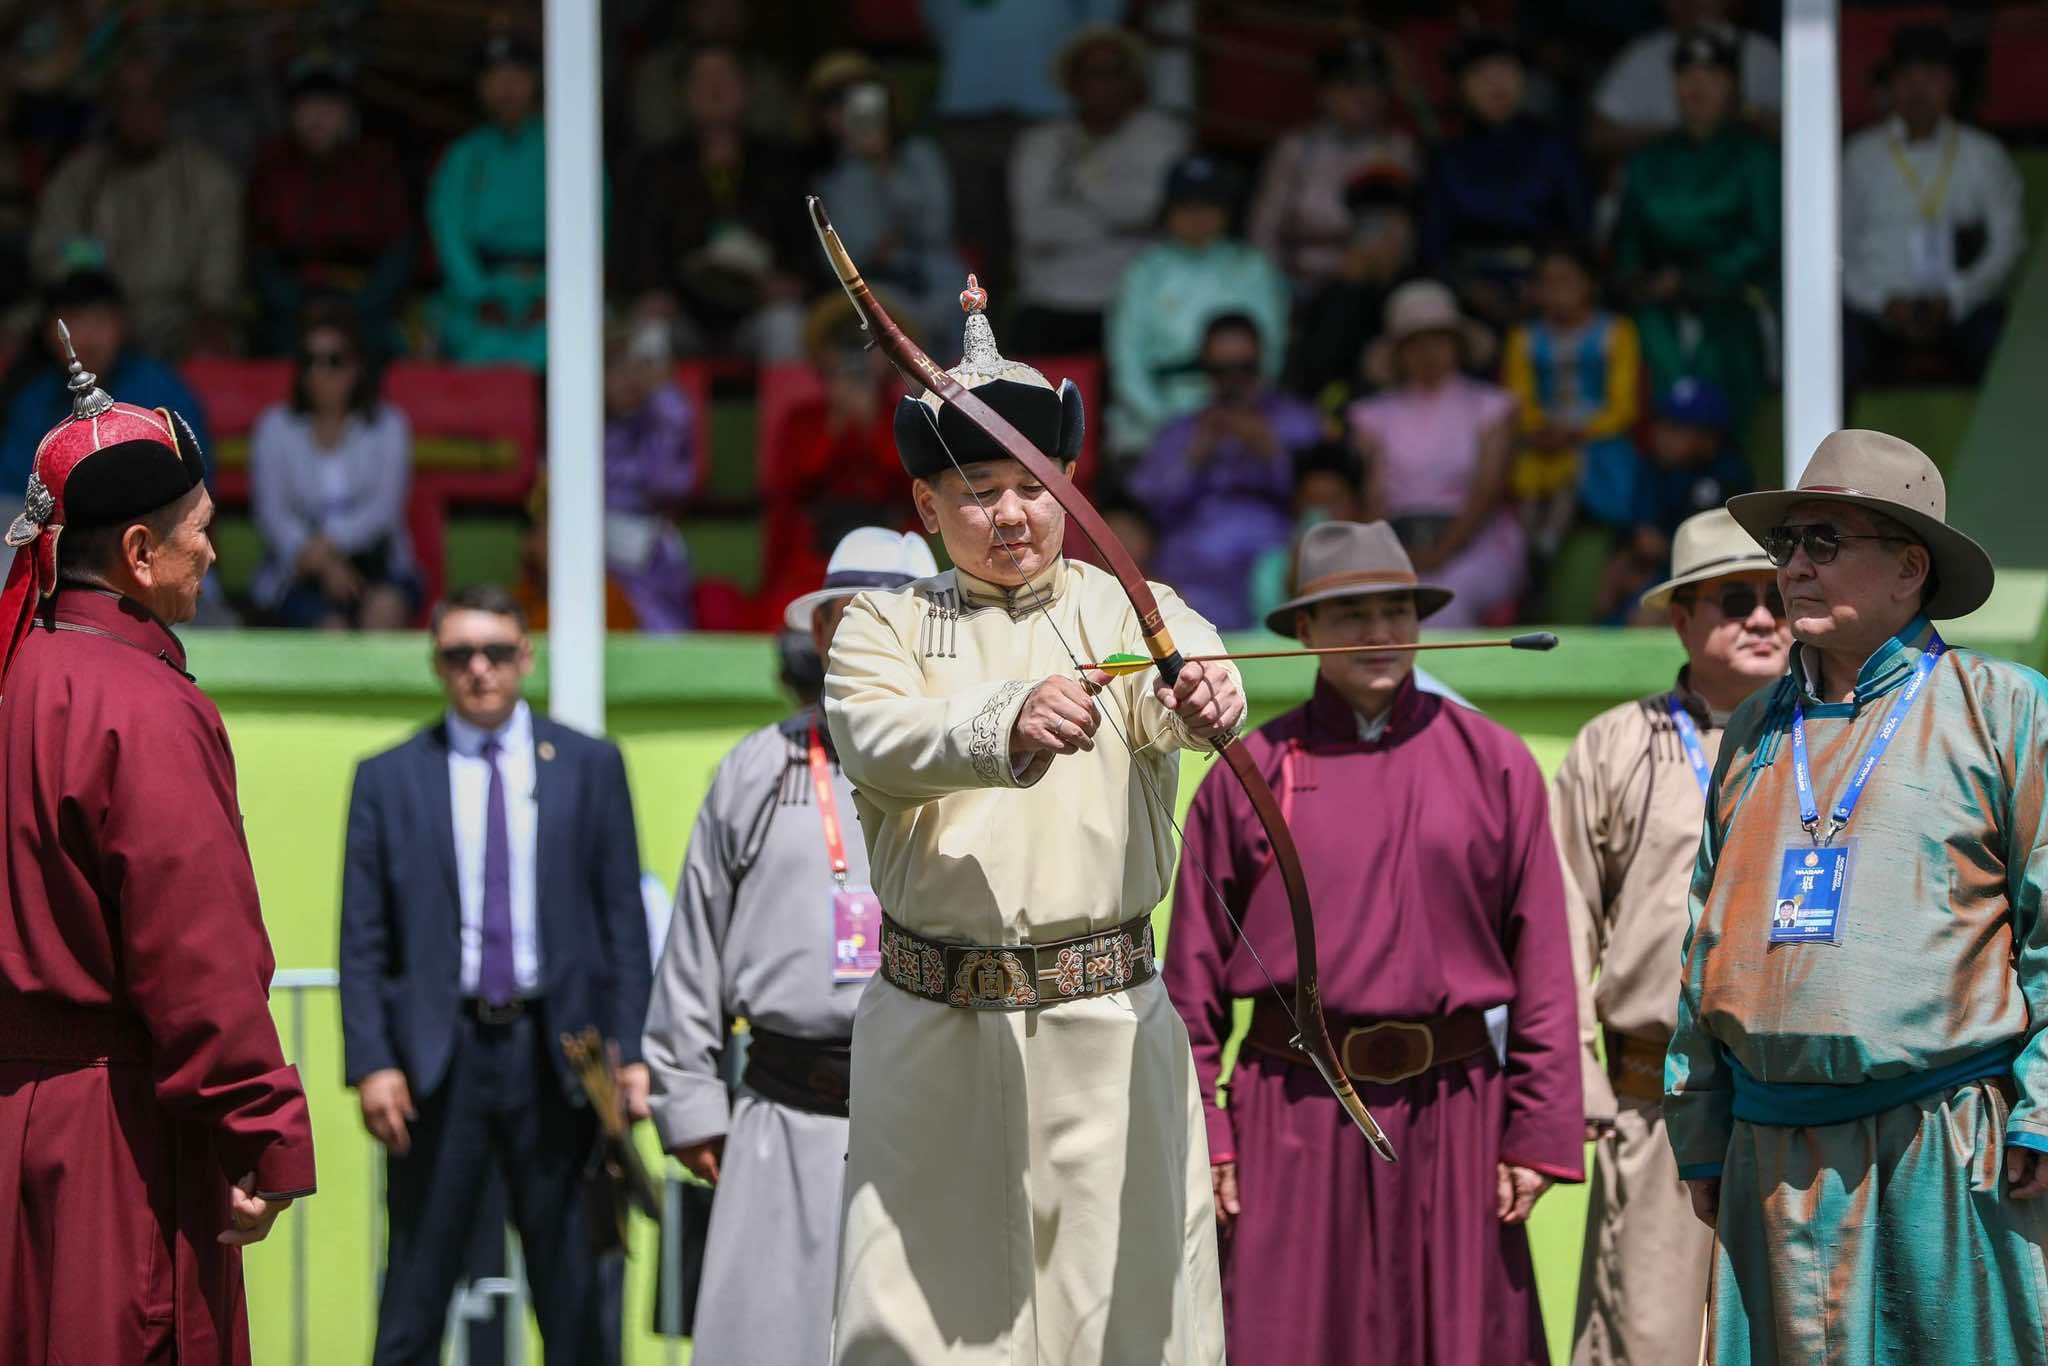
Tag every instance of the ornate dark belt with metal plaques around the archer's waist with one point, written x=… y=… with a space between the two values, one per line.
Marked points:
x=1019 y=976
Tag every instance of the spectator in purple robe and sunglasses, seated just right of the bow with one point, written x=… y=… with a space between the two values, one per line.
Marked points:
x=1220 y=482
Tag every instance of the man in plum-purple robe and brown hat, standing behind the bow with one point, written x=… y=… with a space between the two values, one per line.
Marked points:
x=1424 y=837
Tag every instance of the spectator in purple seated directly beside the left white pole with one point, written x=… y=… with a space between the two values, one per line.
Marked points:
x=650 y=470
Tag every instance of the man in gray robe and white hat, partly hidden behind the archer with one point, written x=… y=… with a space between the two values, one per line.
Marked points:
x=775 y=925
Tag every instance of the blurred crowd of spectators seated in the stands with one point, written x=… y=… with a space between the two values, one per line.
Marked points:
x=1539 y=306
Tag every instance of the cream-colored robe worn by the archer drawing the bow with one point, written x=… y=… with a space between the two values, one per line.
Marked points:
x=1021 y=1187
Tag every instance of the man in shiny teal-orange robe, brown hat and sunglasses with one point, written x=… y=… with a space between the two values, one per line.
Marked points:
x=1854 y=1091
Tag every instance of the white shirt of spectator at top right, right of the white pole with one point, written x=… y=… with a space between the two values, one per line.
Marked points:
x=1887 y=249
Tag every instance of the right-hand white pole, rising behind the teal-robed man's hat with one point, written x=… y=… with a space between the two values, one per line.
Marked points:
x=1811 y=230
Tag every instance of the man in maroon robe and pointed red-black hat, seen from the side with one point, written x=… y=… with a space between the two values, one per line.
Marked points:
x=148 y=1121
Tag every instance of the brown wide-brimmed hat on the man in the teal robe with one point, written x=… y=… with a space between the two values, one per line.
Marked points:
x=1891 y=476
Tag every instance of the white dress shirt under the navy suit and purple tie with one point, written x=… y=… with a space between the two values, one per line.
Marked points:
x=470 y=783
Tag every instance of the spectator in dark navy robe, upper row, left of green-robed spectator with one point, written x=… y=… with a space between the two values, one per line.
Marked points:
x=1500 y=189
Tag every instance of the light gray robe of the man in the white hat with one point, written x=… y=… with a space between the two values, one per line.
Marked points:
x=753 y=939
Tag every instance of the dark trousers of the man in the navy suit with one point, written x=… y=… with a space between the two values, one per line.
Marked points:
x=499 y=1109
